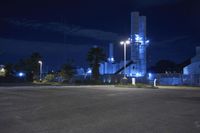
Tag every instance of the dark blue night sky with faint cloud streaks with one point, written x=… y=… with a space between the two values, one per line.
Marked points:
x=65 y=29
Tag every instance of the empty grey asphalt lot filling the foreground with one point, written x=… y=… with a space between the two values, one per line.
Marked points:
x=98 y=109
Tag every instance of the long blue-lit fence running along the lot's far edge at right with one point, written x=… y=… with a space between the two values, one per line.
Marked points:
x=162 y=79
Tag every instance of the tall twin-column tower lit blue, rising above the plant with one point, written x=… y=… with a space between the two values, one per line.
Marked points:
x=138 y=45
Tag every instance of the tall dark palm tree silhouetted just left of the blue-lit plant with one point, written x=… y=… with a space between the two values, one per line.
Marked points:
x=94 y=57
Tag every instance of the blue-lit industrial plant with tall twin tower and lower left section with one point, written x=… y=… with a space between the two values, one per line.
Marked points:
x=135 y=66
